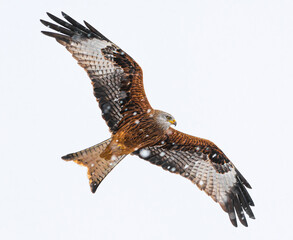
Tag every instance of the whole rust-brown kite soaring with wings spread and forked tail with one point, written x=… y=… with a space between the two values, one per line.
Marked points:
x=138 y=129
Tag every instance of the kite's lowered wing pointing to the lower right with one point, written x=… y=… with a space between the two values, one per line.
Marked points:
x=203 y=163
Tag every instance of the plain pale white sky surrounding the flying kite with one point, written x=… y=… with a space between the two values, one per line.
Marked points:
x=222 y=68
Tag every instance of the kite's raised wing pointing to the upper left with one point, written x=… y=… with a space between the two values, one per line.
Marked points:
x=117 y=79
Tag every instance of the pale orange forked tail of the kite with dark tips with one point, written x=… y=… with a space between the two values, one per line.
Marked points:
x=98 y=168
